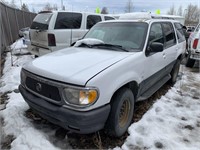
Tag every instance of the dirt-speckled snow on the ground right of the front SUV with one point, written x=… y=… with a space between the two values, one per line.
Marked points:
x=174 y=120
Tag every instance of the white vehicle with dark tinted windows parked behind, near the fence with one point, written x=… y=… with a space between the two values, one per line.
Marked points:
x=54 y=30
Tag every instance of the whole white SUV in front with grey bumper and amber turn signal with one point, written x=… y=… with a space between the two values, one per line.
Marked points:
x=95 y=83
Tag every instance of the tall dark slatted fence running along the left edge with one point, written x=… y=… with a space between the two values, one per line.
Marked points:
x=11 y=21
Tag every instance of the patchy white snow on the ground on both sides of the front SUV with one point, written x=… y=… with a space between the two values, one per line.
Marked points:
x=173 y=122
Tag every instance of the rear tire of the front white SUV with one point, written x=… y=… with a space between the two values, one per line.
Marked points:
x=174 y=72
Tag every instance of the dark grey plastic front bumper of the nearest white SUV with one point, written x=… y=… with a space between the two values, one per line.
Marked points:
x=76 y=121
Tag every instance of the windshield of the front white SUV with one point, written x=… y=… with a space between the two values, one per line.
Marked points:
x=129 y=35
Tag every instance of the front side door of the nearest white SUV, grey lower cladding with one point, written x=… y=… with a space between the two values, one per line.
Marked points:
x=155 y=62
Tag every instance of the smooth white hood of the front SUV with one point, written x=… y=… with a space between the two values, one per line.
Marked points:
x=74 y=65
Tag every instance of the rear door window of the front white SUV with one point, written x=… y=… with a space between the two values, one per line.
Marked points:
x=170 y=38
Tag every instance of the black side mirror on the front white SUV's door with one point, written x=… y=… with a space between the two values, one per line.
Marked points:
x=154 y=47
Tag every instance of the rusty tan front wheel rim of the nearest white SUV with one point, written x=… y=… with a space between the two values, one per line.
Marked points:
x=124 y=113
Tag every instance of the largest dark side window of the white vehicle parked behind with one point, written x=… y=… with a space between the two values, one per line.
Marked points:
x=66 y=20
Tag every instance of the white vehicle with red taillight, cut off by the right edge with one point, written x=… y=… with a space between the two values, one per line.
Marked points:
x=193 y=53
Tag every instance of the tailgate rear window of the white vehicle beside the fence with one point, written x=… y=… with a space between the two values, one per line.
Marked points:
x=41 y=21
